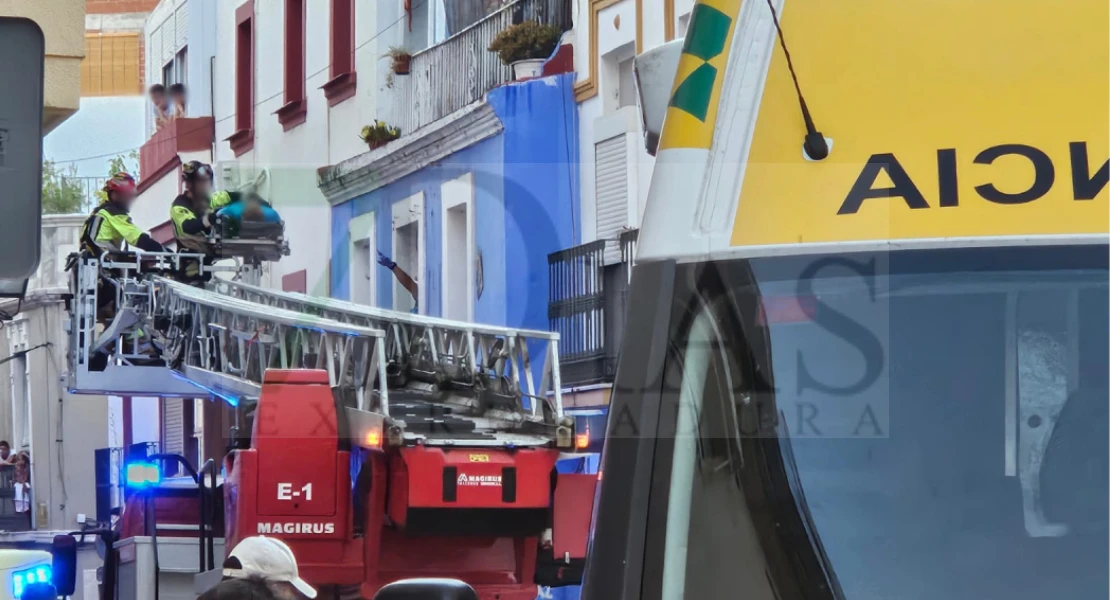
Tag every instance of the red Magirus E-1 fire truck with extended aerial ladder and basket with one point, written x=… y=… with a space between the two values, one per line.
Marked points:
x=379 y=445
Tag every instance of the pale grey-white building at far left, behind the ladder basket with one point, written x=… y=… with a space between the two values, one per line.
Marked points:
x=59 y=430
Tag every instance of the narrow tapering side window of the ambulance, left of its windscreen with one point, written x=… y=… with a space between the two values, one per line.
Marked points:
x=709 y=524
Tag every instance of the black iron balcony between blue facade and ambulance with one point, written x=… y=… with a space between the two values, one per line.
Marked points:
x=587 y=307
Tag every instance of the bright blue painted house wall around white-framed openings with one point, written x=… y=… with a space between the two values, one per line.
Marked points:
x=526 y=207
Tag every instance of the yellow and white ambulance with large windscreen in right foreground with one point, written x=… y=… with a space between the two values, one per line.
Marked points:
x=866 y=354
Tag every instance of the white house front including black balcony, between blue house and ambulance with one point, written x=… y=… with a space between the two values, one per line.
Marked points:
x=591 y=287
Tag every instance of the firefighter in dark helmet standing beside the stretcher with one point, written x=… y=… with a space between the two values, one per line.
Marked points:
x=193 y=215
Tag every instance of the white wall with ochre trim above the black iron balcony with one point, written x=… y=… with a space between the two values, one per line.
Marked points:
x=611 y=118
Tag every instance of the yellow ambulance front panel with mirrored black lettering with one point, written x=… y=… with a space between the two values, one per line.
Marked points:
x=948 y=118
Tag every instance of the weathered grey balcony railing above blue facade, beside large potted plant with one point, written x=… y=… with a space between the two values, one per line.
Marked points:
x=458 y=73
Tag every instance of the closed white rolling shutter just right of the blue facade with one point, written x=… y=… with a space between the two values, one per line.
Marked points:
x=611 y=190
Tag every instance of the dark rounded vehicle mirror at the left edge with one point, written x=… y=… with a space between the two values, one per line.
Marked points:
x=23 y=47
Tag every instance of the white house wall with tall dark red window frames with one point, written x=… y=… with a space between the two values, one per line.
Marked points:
x=330 y=135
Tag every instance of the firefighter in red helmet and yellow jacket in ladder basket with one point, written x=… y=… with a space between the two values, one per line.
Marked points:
x=110 y=227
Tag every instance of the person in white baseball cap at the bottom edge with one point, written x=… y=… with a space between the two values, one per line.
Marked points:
x=261 y=560
